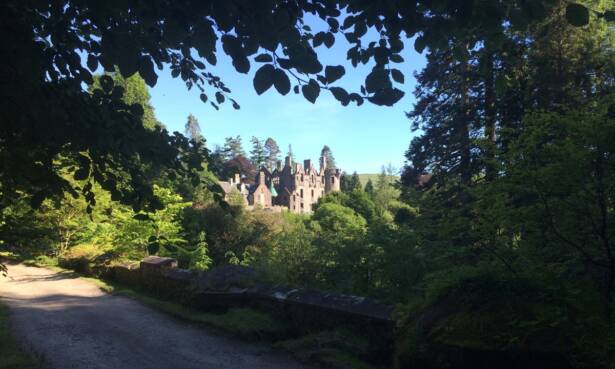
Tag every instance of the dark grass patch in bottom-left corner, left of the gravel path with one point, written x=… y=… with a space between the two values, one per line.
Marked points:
x=12 y=356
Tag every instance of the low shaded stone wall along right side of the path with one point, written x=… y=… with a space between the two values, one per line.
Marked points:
x=234 y=286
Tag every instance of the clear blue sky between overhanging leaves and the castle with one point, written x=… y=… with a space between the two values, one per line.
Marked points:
x=362 y=138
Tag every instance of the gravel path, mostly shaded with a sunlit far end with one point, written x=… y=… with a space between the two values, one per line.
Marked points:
x=73 y=324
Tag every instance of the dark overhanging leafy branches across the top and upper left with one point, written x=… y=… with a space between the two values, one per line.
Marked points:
x=54 y=47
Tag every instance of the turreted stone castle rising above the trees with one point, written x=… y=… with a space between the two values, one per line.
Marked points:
x=294 y=186
